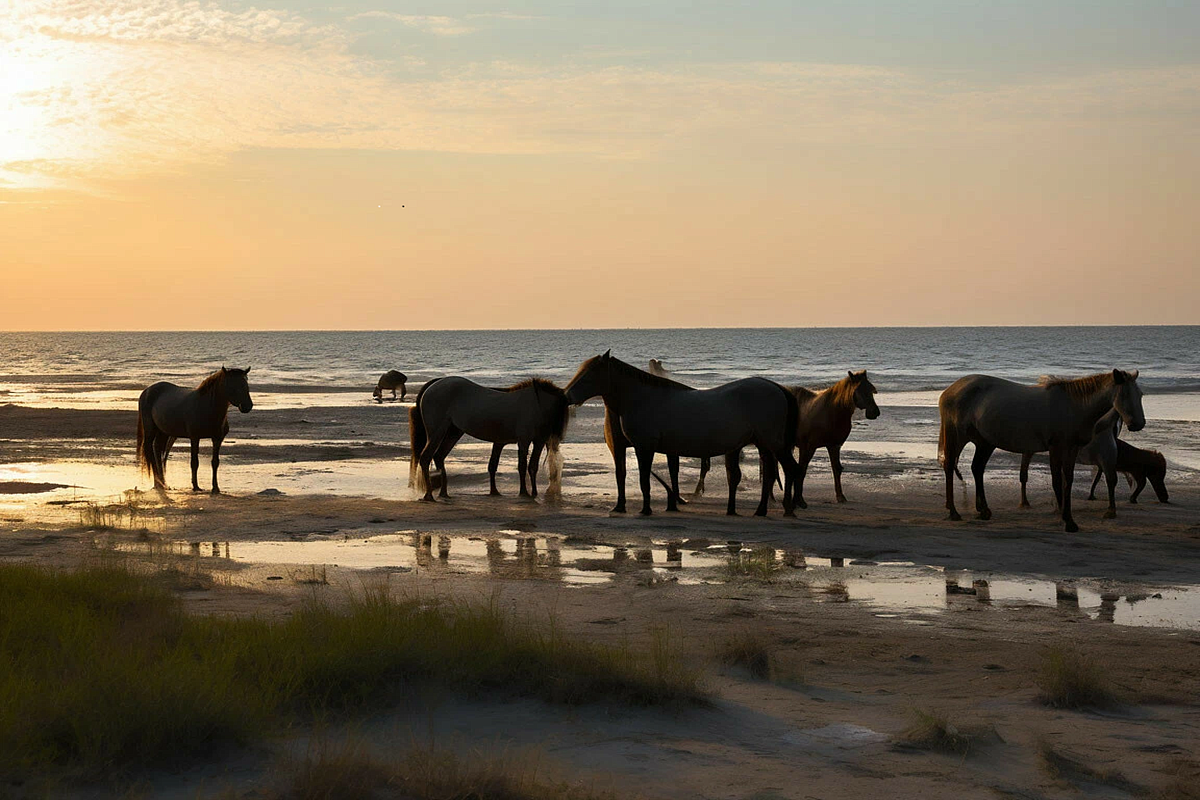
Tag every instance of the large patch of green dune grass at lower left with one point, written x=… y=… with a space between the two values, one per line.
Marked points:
x=101 y=670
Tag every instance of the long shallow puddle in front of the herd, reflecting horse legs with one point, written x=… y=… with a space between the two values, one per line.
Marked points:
x=902 y=591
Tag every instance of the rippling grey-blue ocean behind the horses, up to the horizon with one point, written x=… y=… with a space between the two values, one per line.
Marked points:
x=909 y=366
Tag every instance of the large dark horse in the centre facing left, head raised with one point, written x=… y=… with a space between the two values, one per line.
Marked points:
x=662 y=416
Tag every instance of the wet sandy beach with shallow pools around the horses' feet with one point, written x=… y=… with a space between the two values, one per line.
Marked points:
x=851 y=669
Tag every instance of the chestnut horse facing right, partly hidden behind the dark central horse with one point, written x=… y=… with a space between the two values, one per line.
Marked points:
x=826 y=423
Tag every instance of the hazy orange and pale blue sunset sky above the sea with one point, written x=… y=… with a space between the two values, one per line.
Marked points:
x=187 y=165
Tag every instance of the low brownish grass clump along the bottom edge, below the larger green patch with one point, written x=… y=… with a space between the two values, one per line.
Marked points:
x=350 y=773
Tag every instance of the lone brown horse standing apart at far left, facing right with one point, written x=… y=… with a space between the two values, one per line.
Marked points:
x=167 y=412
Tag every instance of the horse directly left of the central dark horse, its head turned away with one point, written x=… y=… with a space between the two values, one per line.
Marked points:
x=531 y=413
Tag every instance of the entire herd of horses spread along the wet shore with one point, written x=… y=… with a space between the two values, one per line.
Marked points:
x=652 y=413
